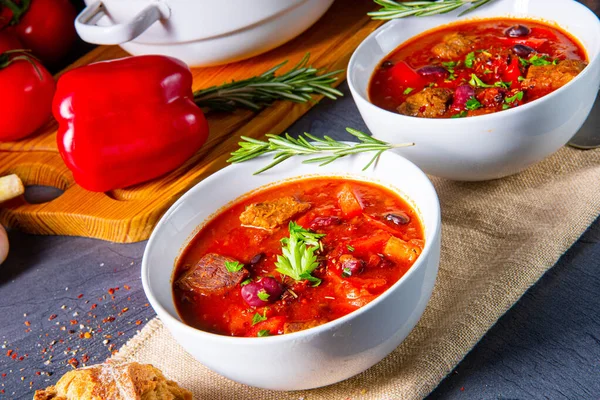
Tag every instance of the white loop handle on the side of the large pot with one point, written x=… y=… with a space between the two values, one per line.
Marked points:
x=86 y=27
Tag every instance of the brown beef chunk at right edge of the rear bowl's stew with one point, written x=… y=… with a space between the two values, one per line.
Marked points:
x=551 y=77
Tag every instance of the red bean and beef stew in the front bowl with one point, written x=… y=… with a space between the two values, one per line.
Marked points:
x=295 y=256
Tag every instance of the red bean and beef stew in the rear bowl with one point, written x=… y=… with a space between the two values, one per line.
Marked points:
x=474 y=68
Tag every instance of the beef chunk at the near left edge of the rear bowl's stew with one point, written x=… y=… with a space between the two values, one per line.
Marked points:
x=428 y=103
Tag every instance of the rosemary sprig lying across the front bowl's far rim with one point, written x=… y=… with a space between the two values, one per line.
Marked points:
x=284 y=147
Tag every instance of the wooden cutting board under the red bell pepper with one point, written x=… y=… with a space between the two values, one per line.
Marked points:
x=129 y=215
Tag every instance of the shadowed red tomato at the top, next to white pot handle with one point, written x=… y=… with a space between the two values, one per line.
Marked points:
x=46 y=27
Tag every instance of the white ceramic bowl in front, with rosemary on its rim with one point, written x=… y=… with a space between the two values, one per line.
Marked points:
x=318 y=356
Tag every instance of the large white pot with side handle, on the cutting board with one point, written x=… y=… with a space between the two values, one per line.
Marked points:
x=199 y=32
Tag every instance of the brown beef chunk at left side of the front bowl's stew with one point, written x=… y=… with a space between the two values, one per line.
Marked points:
x=210 y=275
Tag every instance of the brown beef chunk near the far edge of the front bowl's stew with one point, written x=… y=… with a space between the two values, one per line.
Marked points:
x=271 y=214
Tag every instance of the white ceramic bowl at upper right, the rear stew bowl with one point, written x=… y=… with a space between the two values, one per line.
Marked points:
x=494 y=145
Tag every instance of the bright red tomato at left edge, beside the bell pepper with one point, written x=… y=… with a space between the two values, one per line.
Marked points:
x=27 y=91
